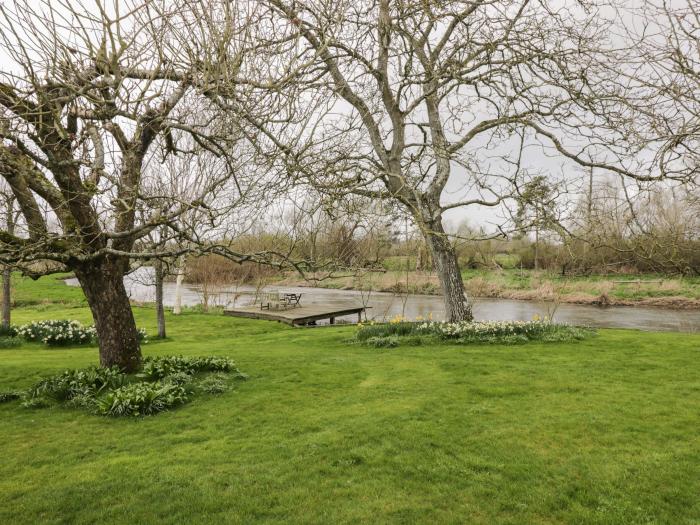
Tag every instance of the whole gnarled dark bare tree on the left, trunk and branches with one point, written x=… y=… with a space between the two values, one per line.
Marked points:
x=90 y=97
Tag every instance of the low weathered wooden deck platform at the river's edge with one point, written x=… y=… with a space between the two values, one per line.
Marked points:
x=299 y=316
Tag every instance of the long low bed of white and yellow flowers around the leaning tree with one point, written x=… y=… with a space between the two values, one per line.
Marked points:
x=490 y=332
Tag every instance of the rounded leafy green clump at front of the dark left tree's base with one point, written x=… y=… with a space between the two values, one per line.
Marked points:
x=141 y=399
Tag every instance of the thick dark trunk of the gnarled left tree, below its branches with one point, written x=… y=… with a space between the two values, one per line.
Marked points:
x=103 y=285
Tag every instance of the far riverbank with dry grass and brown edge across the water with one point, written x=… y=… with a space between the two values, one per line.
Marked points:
x=600 y=290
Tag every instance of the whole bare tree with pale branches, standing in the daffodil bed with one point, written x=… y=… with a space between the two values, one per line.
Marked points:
x=425 y=99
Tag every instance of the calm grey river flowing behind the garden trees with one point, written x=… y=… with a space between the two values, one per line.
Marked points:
x=384 y=306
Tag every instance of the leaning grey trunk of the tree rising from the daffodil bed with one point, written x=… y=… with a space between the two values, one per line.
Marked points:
x=457 y=305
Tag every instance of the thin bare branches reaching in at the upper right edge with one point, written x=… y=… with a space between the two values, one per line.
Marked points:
x=665 y=65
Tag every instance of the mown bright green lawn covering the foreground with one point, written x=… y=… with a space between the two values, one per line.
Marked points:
x=601 y=431
